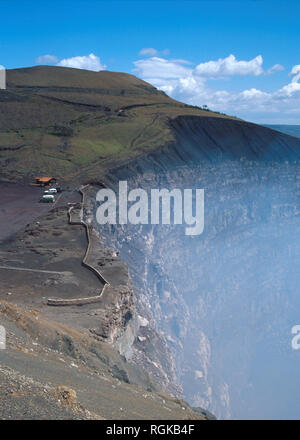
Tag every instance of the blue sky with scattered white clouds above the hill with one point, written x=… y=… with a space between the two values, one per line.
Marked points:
x=190 y=41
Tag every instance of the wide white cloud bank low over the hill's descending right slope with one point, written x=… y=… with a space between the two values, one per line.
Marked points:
x=189 y=84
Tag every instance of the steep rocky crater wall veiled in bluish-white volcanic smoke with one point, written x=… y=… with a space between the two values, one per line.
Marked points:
x=223 y=302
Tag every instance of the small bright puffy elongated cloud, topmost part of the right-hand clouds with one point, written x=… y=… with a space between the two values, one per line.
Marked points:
x=230 y=66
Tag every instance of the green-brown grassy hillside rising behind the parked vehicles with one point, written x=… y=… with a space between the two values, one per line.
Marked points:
x=74 y=124
